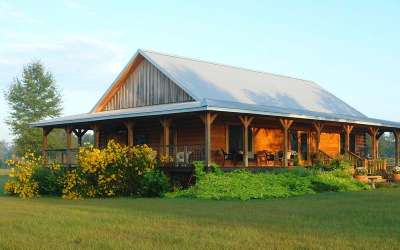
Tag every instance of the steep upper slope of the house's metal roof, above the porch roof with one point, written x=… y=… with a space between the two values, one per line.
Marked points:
x=206 y=80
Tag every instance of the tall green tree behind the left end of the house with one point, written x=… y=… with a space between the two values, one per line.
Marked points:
x=31 y=98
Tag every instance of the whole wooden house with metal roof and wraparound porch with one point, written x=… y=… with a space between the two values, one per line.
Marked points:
x=190 y=110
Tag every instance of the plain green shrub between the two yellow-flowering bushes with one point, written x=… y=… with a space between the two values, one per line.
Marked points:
x=48 y=179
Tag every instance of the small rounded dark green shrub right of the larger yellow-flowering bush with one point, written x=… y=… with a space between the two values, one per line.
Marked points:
x=154 y=184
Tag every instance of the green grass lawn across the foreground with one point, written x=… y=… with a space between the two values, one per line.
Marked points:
x=366 y=220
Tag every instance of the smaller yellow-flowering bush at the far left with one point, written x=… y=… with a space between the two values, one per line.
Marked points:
x=20 y=182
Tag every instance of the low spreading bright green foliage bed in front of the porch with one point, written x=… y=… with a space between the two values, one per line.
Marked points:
x=244 y=185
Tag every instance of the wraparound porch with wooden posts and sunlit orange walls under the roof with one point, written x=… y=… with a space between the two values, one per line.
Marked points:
x=232 y=140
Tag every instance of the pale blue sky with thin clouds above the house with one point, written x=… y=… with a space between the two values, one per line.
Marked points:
x=351 y=48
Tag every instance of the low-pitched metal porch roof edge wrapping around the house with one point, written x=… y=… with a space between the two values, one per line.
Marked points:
x=210 y=105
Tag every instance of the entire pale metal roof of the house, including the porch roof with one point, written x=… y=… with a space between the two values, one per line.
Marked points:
x=220 y=87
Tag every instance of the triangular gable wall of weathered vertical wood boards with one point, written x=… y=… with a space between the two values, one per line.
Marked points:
x=147 y=86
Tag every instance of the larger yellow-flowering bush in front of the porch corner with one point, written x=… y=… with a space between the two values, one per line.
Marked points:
x=114 y=170
